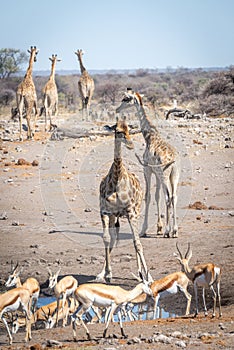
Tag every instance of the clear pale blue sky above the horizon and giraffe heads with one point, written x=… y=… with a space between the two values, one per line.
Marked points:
x=121 y=34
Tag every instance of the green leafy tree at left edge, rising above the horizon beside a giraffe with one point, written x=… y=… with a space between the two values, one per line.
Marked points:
x=10 y=61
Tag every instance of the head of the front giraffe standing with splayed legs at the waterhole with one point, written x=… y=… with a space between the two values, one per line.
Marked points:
x=121 y=130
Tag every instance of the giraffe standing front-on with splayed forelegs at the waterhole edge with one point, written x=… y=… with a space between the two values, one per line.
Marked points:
x=120 y=195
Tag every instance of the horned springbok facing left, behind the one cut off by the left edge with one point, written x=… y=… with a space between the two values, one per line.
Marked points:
x=31 y=284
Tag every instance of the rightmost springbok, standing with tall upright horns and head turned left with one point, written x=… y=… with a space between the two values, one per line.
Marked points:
x=202 y=275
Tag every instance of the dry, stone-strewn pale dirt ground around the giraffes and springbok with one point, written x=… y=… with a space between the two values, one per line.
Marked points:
x=50 y=217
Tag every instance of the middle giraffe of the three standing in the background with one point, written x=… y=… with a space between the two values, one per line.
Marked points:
x=50 y=94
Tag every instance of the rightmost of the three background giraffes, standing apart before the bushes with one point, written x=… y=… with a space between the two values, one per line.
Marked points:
x=85 y=85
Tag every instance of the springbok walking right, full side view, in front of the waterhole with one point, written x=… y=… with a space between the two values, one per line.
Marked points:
x=105 y=296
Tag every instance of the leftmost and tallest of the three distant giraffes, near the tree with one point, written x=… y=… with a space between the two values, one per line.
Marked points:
x=26 y=96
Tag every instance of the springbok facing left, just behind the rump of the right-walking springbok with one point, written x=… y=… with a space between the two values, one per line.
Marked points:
x=62 y=289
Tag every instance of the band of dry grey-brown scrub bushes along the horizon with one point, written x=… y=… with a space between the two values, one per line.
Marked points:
x=207 y=91
